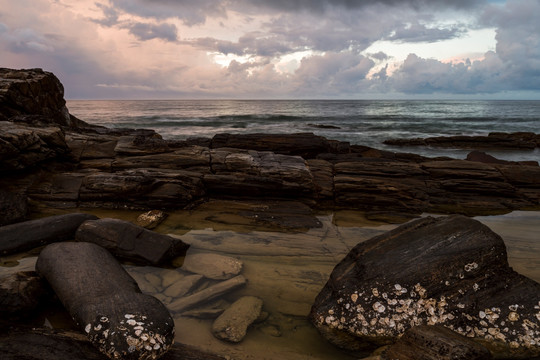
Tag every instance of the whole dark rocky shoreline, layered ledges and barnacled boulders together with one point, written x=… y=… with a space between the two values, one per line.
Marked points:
x=50 y=159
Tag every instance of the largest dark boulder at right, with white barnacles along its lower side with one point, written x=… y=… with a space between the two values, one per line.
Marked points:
x=451 y=271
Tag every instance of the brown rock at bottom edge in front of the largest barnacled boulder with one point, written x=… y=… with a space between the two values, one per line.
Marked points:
x=436 y=343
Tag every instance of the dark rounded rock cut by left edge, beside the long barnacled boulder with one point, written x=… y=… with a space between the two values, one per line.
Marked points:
x=22 y=294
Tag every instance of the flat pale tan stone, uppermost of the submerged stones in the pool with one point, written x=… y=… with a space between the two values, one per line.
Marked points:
x=212 y=266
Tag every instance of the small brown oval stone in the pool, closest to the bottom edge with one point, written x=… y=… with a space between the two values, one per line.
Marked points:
x=233 y=323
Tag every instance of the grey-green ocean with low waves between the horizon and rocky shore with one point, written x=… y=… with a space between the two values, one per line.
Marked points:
x=360 y=122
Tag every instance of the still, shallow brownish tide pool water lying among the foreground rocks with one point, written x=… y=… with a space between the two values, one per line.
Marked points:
x=286 y=268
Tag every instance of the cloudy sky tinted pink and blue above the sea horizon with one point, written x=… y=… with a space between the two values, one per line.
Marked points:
x=278 y=49
